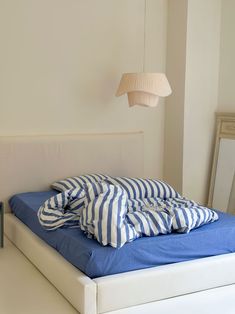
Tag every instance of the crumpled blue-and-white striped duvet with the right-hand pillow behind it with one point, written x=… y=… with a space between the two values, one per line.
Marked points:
x=115 y=214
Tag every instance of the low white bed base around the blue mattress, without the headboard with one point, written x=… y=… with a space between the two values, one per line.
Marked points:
x=154 y=290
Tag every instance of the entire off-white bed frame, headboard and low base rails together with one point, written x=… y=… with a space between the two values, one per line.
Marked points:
x=32 y=163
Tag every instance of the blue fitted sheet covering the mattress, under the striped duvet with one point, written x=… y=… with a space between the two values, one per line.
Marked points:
x=96 y=260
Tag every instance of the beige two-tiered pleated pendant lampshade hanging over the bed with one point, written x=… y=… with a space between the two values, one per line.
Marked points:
x=144 y=88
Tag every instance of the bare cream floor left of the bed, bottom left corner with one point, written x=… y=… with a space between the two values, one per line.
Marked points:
x=24 y=290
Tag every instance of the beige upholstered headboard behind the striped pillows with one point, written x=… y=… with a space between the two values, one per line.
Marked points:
x=32 y=163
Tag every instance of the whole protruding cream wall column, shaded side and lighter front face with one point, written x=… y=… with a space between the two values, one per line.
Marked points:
x=193 y=67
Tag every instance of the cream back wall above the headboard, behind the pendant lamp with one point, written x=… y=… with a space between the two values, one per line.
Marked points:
x=61 y=62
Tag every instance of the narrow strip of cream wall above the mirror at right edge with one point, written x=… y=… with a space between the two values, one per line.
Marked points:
x=227 y=60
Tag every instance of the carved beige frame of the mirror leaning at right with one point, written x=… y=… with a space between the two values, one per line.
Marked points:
x=225 y=128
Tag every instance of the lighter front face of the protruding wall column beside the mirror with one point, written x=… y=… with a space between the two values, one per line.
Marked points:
x=201 y=95
